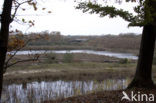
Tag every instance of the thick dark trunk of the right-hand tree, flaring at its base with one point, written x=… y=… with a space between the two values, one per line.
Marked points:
x=143 y=75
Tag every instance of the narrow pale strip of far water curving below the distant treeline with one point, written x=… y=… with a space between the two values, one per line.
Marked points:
x=106 y=53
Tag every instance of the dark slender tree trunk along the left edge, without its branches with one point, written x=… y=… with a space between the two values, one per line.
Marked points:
x=4 y=34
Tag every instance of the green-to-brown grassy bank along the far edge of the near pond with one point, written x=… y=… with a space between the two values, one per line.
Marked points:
x=68 y=71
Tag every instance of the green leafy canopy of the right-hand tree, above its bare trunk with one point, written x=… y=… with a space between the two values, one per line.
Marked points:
x=145 y=13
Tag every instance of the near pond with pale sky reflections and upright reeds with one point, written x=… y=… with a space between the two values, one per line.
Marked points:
x=36 y=92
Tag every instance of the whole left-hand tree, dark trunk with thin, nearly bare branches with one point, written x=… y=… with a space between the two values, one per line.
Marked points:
x=6 y=18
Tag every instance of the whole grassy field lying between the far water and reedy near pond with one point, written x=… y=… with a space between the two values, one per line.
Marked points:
x=70 y=67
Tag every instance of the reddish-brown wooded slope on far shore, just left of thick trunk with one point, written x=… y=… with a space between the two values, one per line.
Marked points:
x=122 y=41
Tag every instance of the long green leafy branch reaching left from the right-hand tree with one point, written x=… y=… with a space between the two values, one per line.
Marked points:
x=112 y=12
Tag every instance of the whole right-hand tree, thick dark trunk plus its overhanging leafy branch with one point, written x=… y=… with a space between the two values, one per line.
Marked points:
x=146 y=18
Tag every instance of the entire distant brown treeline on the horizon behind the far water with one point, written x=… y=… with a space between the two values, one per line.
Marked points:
x=127 y=41
